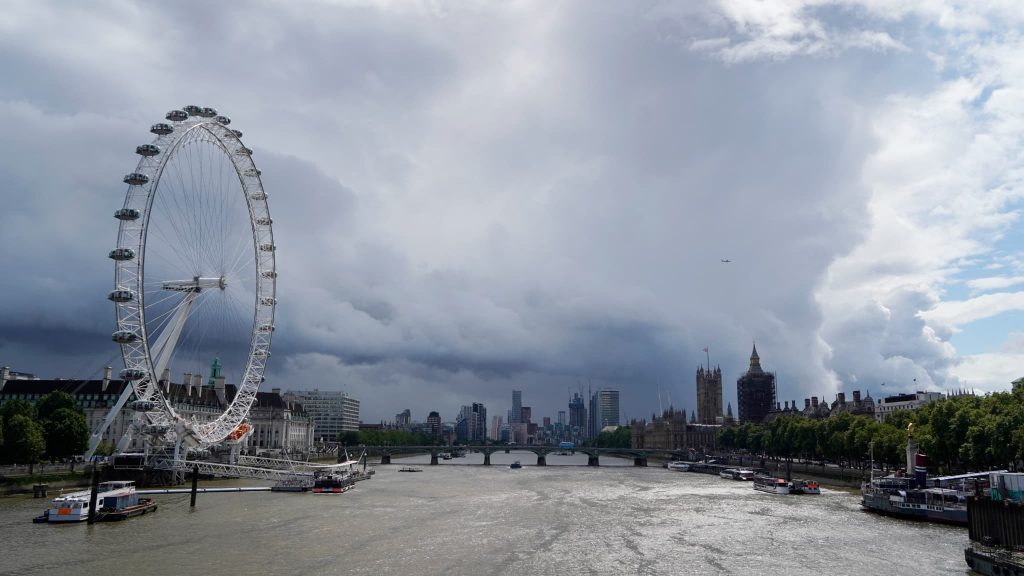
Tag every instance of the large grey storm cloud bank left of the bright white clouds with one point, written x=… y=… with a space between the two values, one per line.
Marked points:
x=465 y=201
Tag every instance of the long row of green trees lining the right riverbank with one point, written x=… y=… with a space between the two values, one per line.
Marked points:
x=959 y=434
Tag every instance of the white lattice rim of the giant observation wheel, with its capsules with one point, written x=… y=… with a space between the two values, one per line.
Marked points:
x=131 y=270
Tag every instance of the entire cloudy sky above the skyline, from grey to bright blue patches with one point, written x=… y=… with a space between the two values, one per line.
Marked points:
x=475 y=197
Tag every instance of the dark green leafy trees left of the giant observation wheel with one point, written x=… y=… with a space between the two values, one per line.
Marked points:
x=53 y=430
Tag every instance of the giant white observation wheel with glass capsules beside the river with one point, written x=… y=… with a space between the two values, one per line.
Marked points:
x=195 y=273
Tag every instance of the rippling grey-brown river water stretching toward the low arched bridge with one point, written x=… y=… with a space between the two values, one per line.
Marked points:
x=459 y=519
